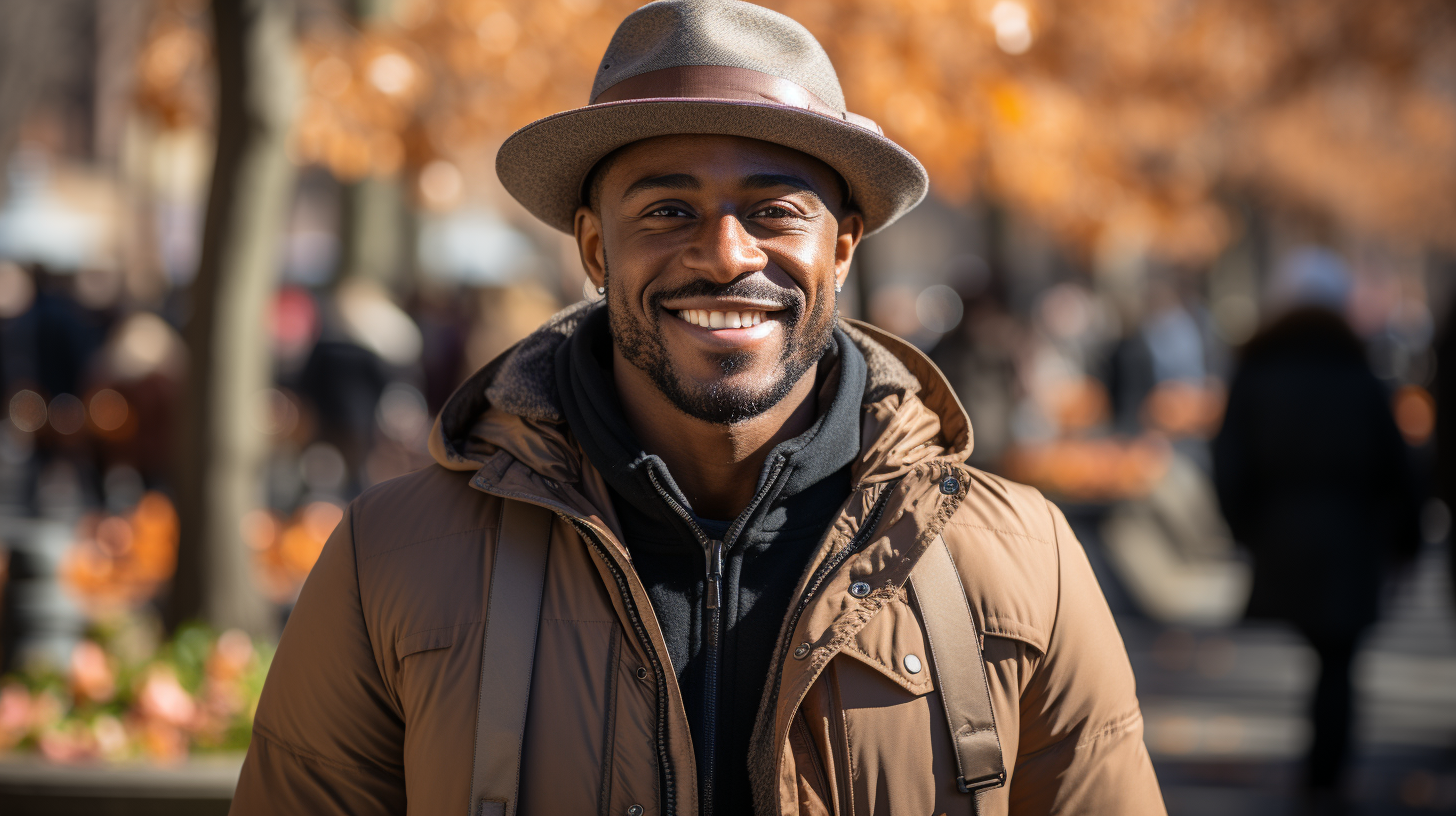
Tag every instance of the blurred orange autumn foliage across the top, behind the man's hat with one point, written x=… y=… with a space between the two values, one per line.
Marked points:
x=1119 y=125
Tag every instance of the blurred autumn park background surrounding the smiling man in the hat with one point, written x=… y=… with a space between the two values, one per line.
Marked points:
x=250 y=247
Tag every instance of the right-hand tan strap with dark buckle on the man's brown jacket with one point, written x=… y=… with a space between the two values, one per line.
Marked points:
x=960 y=671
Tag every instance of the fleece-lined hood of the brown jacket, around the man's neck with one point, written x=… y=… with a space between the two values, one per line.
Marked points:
x=513 y=406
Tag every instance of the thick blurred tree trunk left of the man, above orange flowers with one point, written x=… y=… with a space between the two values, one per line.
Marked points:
x=222 y=447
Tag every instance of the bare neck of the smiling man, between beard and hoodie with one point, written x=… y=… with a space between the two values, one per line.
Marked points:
x=716 y=467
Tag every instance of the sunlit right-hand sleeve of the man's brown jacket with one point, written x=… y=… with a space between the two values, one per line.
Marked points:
x=1081 y=728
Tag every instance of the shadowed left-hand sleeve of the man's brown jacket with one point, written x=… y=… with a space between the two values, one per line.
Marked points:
x=328 y=735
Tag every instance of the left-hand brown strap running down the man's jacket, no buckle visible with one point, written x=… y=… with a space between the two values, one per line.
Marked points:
x=509 y=655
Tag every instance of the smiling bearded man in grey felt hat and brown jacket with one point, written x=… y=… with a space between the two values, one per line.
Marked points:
x=768 y=579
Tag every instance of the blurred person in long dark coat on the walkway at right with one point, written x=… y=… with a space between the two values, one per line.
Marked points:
x=1314 y=479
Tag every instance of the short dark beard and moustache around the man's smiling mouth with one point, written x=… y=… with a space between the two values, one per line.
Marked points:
x=724 y=403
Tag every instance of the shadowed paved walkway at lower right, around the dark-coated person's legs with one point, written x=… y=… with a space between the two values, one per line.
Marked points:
x=1227 y=709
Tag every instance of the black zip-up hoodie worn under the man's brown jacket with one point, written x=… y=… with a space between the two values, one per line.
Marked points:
x=764 y=553
